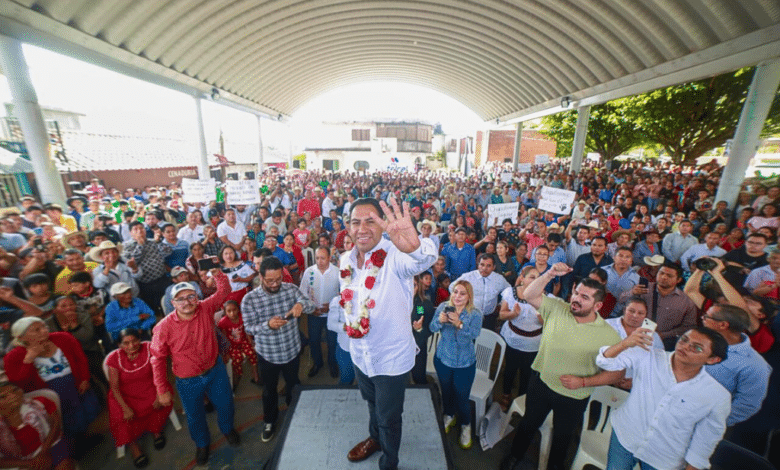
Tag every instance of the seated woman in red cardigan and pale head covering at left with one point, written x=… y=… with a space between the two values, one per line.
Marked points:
x=55 y=361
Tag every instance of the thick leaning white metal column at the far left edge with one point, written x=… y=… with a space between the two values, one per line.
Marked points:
x=27 y=109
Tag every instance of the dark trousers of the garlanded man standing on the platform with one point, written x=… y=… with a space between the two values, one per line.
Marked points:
x=385 y=397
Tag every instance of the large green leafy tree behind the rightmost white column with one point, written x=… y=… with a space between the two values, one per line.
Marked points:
x=691 y=119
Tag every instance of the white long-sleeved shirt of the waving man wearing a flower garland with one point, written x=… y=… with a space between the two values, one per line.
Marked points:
x=388 y=348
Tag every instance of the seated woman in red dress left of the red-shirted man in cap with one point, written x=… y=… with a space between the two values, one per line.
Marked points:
x=133 y=408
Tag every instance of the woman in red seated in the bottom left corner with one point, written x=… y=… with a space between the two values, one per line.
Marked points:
x=30 y=432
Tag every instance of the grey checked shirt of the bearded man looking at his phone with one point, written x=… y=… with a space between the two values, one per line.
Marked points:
x=258 y=307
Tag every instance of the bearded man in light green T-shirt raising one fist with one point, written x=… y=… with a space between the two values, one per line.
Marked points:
x=571 y=338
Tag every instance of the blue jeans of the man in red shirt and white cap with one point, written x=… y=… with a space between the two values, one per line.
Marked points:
x=214 y=383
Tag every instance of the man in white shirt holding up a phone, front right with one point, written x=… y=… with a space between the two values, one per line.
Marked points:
x=676 y=412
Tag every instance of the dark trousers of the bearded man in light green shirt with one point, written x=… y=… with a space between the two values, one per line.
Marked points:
x=567 y=419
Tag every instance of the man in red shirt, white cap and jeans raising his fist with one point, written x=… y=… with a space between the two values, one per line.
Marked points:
x=188 y=336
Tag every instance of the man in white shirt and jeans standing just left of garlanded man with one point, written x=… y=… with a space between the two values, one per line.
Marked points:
x=320 y=283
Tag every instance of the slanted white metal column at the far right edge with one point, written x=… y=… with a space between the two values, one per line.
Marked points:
x=754 y=112
